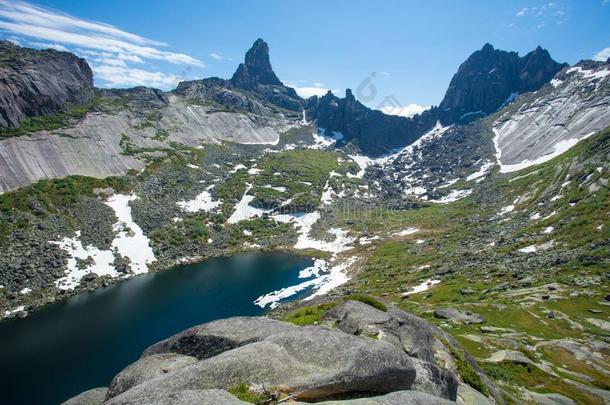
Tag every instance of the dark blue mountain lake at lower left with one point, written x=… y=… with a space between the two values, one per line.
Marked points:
x=82 y=342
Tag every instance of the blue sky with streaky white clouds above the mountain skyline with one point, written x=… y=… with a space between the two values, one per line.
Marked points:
x=398 y=56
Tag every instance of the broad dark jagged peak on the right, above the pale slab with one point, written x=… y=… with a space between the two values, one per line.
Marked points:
x=490 y=78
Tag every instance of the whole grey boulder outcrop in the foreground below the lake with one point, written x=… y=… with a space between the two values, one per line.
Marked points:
x=359 y=351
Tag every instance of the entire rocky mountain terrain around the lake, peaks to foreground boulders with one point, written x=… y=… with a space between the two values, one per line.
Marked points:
x=486 y=215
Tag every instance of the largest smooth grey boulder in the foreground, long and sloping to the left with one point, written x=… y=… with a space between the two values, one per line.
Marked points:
x=314 y=362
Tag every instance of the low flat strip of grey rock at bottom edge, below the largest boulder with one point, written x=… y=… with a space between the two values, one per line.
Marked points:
x=186 y=397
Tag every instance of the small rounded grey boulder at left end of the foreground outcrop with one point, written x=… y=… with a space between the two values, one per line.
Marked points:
x=147 y=368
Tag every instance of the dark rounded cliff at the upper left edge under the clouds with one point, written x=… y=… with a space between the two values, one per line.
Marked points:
x=34 y=83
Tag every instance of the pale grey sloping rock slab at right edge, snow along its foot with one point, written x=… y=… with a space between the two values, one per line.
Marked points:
x=574 y=105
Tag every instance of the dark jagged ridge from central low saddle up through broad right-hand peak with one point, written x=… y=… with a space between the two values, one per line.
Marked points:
x=488 y=80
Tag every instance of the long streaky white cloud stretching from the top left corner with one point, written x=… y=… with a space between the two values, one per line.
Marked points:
x=31 y=21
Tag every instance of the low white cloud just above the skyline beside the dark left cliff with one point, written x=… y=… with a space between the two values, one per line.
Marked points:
x=120 y=76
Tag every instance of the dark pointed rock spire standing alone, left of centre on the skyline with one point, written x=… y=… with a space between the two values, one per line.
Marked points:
x=256 y=68
